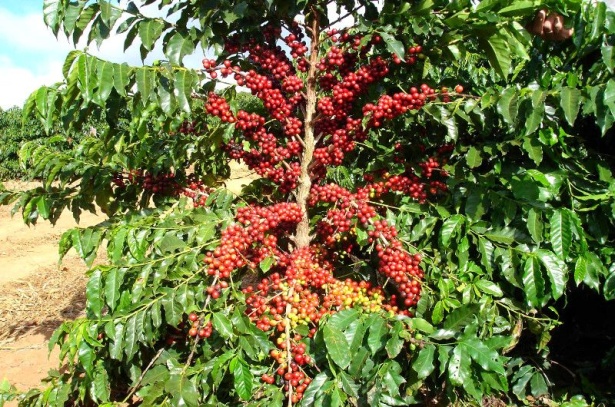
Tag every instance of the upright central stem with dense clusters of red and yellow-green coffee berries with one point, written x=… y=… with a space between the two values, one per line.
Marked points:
x=318 y=103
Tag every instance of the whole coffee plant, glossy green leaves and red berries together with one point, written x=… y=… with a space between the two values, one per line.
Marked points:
x=433 y=182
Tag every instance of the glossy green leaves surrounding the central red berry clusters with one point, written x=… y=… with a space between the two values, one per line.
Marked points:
x=527 y=222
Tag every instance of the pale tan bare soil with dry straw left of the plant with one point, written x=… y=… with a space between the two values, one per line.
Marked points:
x=36 y=293
